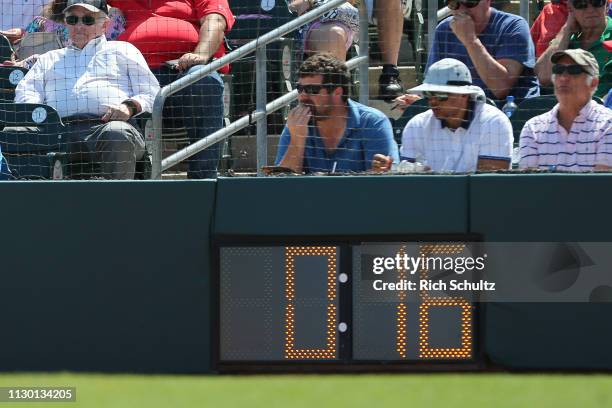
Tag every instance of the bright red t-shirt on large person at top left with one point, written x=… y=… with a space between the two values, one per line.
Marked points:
x=165 y=30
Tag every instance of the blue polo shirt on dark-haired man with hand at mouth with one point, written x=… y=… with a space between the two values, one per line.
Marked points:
x=368 y=132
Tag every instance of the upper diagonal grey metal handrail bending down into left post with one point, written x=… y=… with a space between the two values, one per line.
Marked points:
x=155 y=138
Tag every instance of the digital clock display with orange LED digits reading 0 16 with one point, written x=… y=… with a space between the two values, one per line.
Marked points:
x=339 y=304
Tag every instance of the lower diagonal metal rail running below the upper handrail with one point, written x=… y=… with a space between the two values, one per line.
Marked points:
x=240 y=124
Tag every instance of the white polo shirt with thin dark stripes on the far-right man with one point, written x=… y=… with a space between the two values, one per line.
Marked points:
x=545 y=144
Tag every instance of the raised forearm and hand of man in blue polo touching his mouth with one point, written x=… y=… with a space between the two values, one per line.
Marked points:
x=297 y=127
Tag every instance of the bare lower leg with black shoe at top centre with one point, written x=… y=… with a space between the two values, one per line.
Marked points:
x=389 y=24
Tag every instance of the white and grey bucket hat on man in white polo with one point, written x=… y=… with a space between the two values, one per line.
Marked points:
x=448 y=75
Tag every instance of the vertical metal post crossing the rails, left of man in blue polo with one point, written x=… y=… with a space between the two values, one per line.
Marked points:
x=262 y=122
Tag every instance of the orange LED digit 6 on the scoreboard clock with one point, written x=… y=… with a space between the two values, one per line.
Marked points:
x=429 y=302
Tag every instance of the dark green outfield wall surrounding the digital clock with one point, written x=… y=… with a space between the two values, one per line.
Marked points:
x=118 y=276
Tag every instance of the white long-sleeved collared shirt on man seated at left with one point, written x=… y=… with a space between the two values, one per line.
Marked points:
x=75 y=81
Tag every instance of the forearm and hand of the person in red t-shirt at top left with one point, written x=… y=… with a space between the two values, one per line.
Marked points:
x=212 y=30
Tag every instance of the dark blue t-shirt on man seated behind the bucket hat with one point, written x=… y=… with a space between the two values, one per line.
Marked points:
x=506 y=36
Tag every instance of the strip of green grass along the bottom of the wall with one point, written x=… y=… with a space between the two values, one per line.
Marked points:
x=405 y=390
